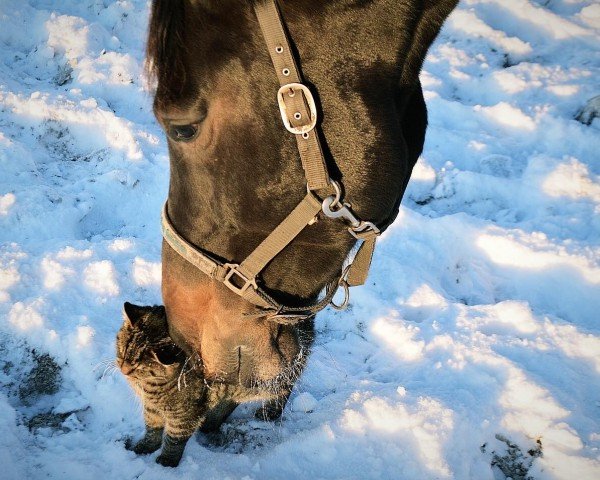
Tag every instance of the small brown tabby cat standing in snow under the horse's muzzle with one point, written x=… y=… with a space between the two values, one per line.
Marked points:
x=175 y=396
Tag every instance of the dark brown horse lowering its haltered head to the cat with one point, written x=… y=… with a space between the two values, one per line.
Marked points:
x=236 y=173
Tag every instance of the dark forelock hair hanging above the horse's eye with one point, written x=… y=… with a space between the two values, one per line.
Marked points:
x=166 y=48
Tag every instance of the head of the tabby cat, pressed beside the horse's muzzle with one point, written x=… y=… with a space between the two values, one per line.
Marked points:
x=144 y=347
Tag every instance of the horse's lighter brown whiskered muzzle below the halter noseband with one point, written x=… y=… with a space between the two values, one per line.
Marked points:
x=260 y=356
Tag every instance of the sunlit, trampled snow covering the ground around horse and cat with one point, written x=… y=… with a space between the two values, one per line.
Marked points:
x=472 y=353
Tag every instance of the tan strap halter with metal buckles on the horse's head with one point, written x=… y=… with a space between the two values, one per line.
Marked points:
x=299 y=115
